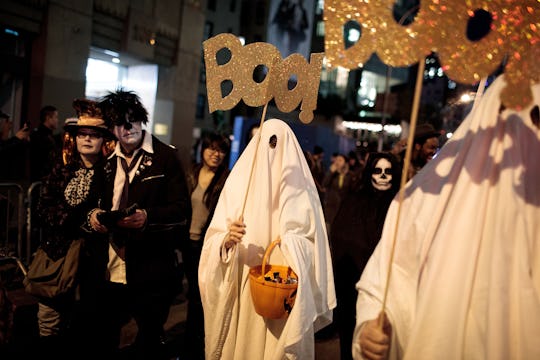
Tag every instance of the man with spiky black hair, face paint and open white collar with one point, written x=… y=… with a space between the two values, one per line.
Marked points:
x=145 y=174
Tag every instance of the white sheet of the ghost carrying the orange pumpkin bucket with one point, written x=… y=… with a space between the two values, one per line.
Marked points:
x=282 y=202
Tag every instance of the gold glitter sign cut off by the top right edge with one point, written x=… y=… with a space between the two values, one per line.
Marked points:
x=441 y=26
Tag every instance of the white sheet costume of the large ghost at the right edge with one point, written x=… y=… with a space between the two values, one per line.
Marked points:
x=465 y=280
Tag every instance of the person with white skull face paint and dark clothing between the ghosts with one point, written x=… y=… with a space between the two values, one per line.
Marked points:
x=357 y=228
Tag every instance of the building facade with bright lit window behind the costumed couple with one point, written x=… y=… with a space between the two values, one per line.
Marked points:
x=48 y=48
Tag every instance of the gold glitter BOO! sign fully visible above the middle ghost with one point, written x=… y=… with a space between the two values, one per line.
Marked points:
x=239 y=70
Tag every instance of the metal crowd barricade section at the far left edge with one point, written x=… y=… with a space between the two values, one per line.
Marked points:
x=12 y=217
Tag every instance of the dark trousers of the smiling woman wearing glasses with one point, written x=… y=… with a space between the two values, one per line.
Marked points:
x=195 y=314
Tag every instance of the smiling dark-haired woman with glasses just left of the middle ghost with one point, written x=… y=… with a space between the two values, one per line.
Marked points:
x=205 y=182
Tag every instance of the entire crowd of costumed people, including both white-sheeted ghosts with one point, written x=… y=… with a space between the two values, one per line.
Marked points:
x=123 y=200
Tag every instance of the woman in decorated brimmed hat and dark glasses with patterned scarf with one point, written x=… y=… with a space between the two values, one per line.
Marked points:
x=69 y=193
